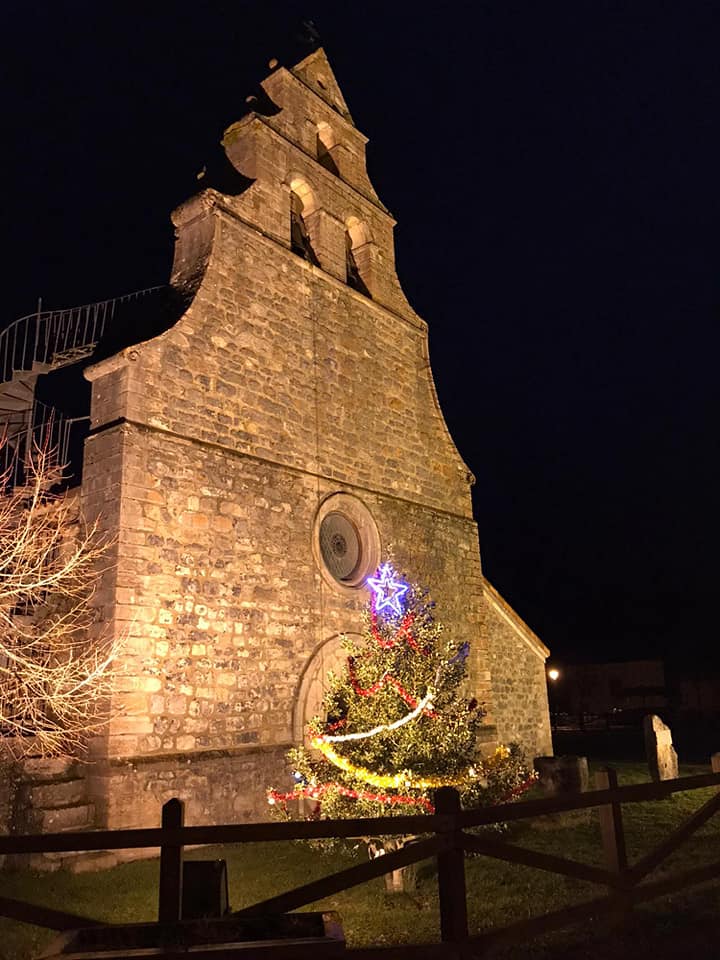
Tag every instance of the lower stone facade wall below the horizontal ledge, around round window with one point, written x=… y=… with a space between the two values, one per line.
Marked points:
x=223 y=606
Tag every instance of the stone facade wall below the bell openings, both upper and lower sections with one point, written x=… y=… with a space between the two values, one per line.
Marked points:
x=212 y=483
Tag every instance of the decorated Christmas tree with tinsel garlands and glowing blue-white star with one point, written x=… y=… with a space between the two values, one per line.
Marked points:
x=397 y=723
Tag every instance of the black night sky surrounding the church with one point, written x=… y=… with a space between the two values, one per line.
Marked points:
x=554 y=171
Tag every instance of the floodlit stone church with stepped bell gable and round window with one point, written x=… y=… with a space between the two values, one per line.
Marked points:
x=263 y=432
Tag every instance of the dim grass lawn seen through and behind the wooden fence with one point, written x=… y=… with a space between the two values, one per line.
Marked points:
x=498 y=893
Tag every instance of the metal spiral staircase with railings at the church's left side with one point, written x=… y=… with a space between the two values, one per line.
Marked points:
x=35 y=345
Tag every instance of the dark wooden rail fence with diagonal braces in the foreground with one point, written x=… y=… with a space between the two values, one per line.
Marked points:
x=442 y=836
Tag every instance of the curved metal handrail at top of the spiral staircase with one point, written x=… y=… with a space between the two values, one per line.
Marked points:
x=59 y=337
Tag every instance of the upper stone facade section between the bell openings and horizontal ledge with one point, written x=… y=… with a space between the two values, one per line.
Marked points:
x=276 y=360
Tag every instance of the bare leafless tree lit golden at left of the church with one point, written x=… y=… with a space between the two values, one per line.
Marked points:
x=55 y=662
